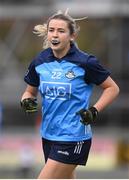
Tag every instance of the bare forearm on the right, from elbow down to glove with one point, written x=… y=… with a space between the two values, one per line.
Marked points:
x=108 y=95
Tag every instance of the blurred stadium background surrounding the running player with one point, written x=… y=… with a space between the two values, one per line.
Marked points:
x=106 y=35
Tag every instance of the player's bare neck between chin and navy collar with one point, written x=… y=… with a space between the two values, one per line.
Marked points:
x=61 y=53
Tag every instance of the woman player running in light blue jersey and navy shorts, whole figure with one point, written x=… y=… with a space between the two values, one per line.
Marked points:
x=65 y=77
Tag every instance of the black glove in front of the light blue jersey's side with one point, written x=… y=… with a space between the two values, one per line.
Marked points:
x=88 y=116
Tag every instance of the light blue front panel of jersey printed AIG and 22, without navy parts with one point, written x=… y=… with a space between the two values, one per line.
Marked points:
x=64 y=92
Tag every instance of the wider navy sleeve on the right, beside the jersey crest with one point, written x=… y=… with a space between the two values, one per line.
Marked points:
x=95 y=72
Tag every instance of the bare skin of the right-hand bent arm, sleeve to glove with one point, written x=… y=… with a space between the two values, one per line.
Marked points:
x=110 y=91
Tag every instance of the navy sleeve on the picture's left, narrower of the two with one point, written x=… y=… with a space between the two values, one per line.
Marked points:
x=31 y=77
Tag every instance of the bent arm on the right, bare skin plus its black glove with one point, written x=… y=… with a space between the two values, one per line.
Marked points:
x=110 y=91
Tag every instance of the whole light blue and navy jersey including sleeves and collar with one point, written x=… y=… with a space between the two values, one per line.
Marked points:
x=65 y=86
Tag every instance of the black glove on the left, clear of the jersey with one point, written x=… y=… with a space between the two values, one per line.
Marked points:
x=29 y=105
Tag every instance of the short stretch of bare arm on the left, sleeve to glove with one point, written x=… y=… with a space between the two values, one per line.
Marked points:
x=30 y=92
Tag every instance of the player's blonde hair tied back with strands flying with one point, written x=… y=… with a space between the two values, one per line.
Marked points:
x=41 y=29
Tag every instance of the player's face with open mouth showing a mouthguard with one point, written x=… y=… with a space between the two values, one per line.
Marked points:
x=59 y=36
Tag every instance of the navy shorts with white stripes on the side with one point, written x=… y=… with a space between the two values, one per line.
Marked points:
x=67 y=152
